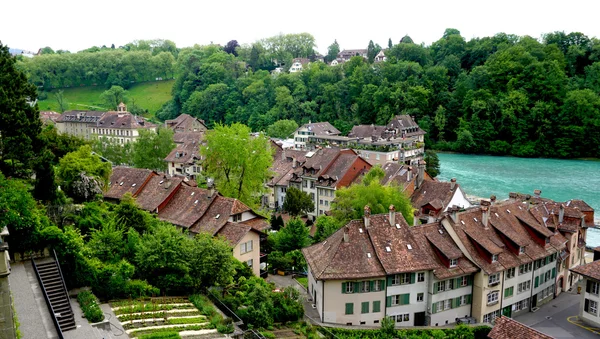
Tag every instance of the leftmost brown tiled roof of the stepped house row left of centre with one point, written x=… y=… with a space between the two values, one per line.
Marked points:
x=126 y=179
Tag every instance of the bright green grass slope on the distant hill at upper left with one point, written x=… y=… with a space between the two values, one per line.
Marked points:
x=148 y=95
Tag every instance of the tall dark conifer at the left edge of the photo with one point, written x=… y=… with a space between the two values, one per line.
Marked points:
x=20 y=123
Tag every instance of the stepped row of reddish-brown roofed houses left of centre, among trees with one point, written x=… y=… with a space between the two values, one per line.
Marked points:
x=194 y=209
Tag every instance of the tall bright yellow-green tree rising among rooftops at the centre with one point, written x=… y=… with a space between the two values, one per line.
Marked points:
x=237 y=161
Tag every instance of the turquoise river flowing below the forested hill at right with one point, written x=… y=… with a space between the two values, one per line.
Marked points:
x=559 y=180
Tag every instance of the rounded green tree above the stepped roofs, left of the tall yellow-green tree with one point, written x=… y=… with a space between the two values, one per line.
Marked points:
x=151 y=148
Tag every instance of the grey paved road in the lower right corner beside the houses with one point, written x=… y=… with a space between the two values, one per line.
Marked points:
x=551 y=319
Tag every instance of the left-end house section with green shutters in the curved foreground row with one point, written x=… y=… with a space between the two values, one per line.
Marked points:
x=380 y=267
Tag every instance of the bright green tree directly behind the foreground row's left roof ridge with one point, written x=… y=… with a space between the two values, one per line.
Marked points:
x=350 y=201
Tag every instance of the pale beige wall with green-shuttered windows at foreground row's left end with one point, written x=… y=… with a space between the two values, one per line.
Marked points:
x=335 y=304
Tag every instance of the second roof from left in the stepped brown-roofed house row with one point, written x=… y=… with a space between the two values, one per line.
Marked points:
x=156 y=191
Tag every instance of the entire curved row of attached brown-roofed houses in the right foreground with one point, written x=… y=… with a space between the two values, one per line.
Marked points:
x=514 y=256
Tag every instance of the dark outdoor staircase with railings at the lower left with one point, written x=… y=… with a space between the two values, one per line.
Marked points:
x=57 y=294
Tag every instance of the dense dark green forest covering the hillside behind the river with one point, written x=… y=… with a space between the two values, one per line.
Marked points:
x=504 y=94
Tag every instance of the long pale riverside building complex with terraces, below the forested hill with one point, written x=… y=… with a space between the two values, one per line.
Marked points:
x=401 y=140
